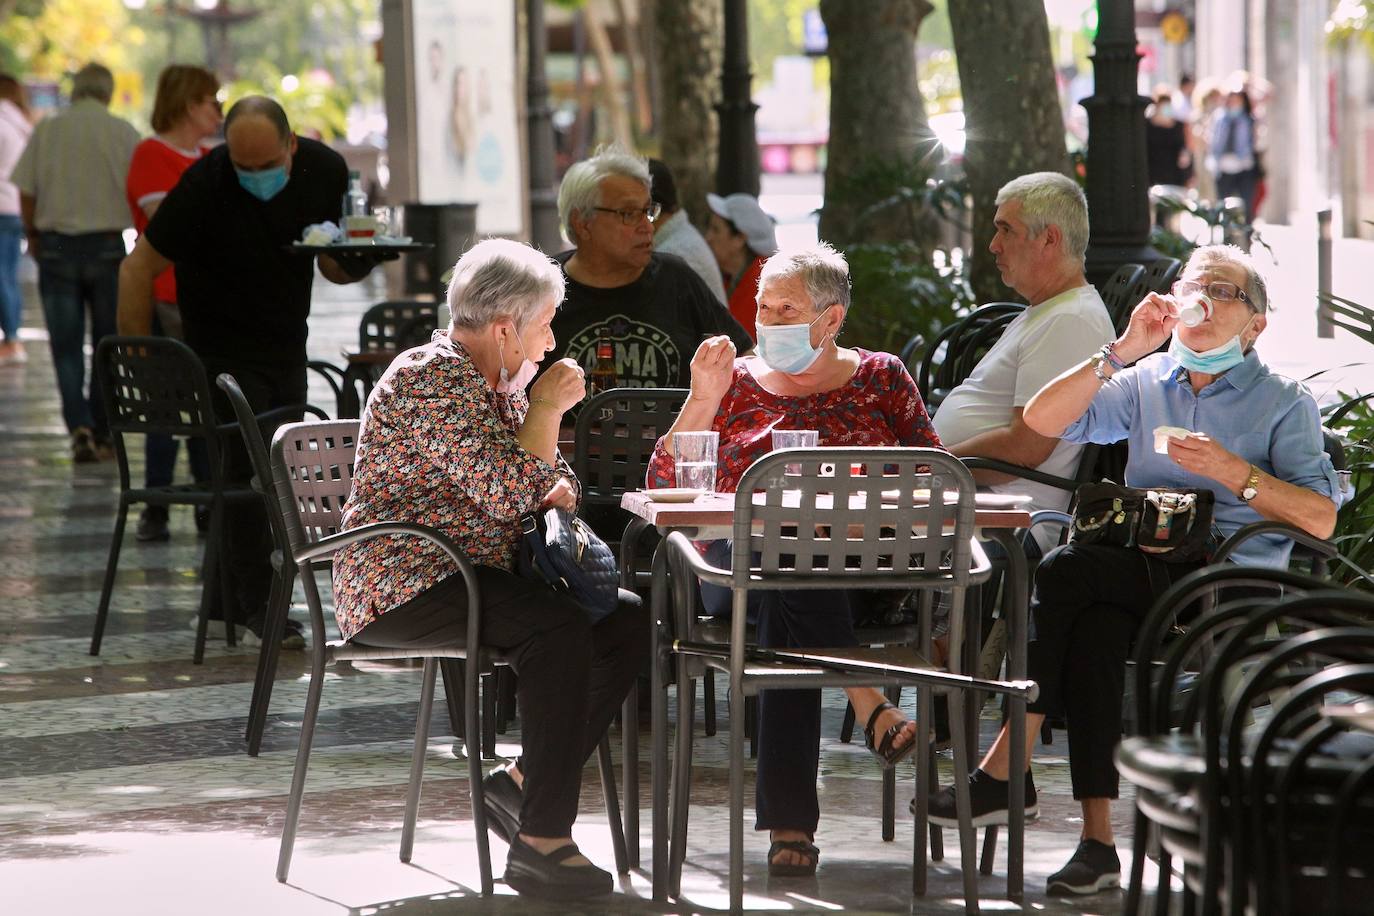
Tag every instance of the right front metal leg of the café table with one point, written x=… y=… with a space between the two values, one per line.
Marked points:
x=1016 y=606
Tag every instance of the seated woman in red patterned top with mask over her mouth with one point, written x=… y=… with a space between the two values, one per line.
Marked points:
x=800 y=380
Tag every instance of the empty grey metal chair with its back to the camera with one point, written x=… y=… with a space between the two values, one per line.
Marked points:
x=897 y=518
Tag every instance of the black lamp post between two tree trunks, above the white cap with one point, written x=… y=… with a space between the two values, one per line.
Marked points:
x=737 y=167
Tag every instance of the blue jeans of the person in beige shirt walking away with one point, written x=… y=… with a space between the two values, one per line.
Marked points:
x=78 y=273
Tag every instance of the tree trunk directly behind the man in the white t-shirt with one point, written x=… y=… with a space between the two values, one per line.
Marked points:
x=1012 y=112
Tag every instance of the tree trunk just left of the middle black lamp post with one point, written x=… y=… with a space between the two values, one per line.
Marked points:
x=689 y=45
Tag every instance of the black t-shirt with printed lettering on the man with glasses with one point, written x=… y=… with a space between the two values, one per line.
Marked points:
x=656 y=323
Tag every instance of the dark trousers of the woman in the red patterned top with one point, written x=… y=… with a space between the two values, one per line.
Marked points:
x=789 y=722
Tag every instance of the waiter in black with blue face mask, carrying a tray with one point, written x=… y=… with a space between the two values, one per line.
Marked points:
x=244 y=295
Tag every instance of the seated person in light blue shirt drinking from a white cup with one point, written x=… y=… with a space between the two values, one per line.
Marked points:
x=1255 y=442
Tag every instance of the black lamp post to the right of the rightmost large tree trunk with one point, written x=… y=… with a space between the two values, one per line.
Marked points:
x=1119 y=189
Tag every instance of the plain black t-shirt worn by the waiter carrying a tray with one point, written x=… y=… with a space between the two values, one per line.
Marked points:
x=243 y=295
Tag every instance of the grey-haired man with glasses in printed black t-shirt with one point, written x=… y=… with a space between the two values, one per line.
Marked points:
x=652 y=306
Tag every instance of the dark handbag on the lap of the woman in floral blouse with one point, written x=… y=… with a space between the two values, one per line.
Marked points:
x=561 y=550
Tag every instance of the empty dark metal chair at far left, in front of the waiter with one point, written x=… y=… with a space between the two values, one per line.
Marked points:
x=156 y=385
